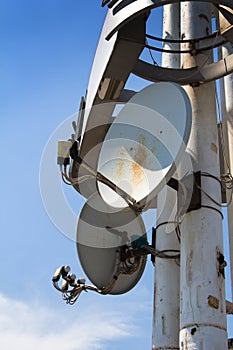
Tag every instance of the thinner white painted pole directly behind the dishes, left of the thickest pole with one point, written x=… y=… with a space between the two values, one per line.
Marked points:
x=167 y=273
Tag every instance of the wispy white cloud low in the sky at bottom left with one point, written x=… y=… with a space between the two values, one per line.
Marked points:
x=29 y=326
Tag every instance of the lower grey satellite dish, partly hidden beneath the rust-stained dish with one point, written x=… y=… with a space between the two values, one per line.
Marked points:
x=103 y=233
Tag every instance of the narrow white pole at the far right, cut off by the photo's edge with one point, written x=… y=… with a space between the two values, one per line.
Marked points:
x=228 y=130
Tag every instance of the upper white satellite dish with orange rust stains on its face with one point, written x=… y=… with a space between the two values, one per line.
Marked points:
x=145 y=143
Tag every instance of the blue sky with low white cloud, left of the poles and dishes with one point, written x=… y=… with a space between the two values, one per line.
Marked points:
x=47 y=48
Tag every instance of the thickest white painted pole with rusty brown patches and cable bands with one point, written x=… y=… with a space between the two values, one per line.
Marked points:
x=203 y=307
